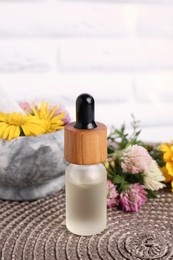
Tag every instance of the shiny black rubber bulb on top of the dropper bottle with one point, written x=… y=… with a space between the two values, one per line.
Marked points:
x=85 y=118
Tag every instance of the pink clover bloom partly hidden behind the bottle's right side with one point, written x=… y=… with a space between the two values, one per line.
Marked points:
x=112 y=195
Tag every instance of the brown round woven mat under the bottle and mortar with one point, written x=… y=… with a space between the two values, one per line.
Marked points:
x=36 y=230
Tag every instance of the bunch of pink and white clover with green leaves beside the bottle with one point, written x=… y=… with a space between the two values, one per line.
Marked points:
x=135 y=169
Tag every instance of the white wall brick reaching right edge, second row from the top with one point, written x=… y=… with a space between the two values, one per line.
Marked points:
x=116 y=54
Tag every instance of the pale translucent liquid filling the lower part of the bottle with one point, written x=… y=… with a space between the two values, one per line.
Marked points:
x=85 y=208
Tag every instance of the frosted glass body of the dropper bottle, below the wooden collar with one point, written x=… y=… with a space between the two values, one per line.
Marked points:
x=86 y=192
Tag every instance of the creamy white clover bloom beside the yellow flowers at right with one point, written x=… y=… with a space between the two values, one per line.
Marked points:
x=153 y=177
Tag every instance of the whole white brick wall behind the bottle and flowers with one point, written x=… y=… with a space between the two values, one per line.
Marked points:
x=120 y=51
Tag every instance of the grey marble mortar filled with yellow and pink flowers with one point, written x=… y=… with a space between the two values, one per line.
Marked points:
x=31 y=151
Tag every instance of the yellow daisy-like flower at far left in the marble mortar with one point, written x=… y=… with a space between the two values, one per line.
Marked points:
x=14 y=124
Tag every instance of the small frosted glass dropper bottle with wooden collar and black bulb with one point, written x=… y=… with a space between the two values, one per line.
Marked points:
x=85 y=147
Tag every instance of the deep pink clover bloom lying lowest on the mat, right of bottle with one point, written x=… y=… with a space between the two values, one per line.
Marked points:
x=133 y=198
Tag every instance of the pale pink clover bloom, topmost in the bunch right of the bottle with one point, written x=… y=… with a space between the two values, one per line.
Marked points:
x=135 y=159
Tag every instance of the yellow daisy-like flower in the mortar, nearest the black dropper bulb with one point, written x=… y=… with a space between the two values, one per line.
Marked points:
x=52 y=121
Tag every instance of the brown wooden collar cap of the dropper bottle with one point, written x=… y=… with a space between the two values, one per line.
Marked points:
x=85 y=146
